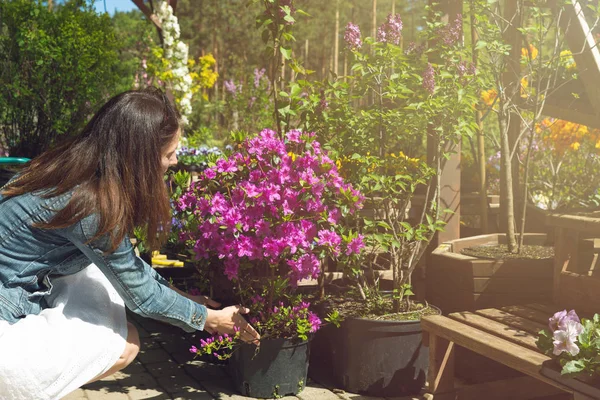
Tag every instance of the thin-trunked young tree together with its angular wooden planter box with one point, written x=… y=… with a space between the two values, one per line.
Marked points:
x=523 y=66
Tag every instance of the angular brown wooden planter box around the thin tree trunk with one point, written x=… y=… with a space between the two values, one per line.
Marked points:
x=456 y=282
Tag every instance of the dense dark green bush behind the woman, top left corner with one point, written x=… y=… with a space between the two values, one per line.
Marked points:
x=55 y=67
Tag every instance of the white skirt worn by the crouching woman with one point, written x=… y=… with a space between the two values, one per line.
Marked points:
x=80 y=336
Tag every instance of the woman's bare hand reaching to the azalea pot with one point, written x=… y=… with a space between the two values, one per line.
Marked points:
x=225 y=320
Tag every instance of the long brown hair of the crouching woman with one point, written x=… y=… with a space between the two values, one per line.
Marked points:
x=113 y=168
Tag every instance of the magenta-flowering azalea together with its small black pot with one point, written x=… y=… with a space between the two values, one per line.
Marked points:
x=265 y=217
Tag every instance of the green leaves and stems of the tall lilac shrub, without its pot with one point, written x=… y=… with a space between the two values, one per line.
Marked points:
x=376 y=122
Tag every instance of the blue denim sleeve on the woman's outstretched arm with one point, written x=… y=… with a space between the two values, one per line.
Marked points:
x=143 y=290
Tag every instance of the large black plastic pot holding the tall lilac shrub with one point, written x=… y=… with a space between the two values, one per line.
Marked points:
x=376 y=358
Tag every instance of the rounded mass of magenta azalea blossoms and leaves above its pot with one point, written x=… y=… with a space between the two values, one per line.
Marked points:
x=270 y=213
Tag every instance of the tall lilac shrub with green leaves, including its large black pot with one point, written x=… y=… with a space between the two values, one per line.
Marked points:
x=376 y=120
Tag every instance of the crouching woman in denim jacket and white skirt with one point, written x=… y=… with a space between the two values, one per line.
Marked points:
x=67 y=267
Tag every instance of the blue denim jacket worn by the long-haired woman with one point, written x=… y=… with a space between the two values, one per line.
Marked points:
x=31 y=257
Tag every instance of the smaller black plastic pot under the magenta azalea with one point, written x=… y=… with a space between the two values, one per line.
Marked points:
x=279 y=368
